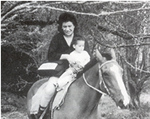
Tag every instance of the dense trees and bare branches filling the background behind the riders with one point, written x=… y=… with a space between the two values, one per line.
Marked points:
x=28 y=27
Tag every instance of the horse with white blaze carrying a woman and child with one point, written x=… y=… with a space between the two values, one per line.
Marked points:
x=81 y=102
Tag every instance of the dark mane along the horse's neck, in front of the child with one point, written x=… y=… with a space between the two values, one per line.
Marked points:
x=87 y=67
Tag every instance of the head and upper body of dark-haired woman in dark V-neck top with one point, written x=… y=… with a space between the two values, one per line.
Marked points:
x=61 y=44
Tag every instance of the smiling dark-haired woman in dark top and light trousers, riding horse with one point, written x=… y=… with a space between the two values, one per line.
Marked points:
x=60 y=48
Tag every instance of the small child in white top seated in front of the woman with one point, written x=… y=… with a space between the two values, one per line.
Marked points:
x=79 y=58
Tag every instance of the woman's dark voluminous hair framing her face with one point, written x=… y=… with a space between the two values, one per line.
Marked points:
x=65 y=17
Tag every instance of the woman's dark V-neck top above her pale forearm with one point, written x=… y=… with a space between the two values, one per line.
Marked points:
x=59 y=46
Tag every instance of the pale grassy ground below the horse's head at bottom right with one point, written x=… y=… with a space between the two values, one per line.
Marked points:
x=108 y=110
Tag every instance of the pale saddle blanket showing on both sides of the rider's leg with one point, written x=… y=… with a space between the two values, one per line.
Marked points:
x=58 y=100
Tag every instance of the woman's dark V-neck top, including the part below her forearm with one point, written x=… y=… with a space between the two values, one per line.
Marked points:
x=59 y=46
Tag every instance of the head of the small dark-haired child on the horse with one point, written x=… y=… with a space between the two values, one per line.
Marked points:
x=79 y=43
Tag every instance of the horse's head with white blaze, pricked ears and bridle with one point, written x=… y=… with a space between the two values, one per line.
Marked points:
x=112 y=78
